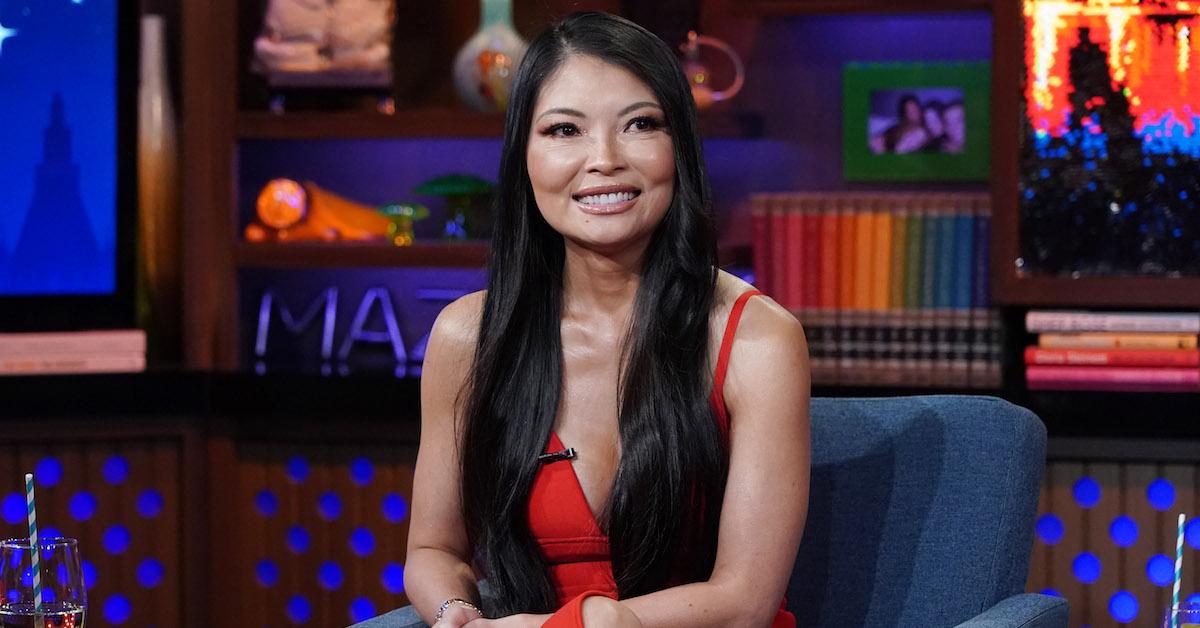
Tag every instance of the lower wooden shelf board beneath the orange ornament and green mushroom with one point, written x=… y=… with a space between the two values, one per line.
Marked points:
x=472 y=254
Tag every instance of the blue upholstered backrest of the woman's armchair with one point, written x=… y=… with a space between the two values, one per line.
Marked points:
x=921 y=511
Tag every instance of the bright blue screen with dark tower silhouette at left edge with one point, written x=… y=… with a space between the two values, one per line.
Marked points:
x=58 y=147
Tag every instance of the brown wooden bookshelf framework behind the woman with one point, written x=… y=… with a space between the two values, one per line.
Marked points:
x=219 y=124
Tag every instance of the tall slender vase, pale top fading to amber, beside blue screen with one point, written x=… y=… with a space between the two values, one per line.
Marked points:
x=159 y=274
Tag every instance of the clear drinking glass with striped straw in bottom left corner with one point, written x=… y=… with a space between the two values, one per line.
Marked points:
x=64 y=597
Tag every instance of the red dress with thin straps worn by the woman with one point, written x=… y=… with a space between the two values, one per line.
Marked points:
x=577 y=551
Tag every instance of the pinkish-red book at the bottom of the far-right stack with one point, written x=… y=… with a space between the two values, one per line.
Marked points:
x=1124 y=379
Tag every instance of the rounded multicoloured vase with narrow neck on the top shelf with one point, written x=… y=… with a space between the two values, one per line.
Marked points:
x=487 y=65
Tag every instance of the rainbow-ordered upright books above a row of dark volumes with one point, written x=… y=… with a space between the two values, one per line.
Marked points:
x=892 y=288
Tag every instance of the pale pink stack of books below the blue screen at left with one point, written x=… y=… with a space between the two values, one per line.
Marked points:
x=74 y=352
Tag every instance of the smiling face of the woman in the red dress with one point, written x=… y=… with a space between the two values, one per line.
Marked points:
x=601 y=157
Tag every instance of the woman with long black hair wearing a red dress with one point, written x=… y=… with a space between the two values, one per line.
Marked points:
x=574 y=444
